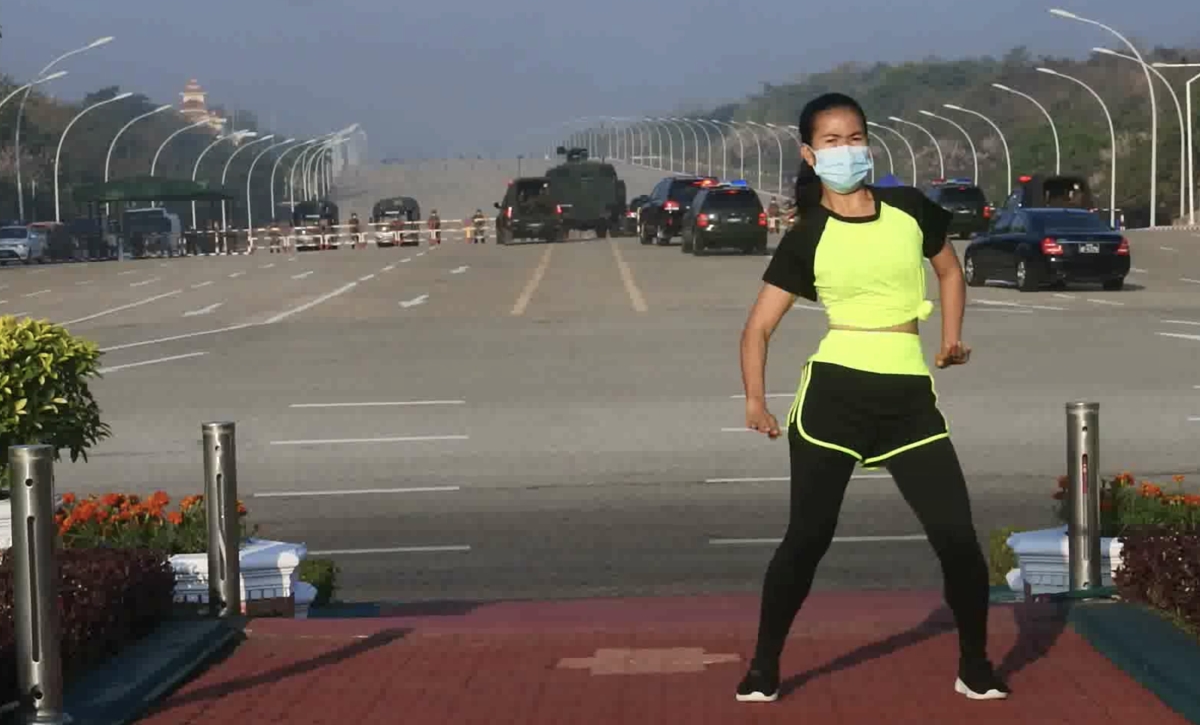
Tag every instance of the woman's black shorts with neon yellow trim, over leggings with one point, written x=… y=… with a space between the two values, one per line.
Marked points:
x=868 y=416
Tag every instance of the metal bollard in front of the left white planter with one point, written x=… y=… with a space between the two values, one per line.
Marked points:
x=221 y=510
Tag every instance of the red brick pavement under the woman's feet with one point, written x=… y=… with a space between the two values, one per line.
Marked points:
x=861 y=658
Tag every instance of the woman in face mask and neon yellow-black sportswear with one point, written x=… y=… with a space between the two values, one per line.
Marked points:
x=867 y=396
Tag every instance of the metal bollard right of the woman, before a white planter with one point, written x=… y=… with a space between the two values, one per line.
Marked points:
x=1084 y=496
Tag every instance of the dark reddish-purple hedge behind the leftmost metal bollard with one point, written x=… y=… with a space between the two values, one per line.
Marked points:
x=110 y=598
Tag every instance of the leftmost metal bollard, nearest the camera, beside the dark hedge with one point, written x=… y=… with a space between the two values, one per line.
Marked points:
x=37 y=585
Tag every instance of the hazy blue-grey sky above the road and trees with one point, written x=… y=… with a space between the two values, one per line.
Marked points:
x=442 y=77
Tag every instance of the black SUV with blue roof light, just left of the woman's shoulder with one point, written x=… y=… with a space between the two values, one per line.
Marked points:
x=725 y=217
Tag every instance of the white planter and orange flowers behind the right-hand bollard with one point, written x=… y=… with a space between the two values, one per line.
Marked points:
x=1127 y=510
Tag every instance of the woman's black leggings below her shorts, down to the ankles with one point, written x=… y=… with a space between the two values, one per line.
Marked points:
x=932 y=482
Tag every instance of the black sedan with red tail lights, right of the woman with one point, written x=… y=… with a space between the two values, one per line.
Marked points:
x=1040 y=248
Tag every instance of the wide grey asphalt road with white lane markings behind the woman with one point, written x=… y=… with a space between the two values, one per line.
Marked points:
x=571 y=422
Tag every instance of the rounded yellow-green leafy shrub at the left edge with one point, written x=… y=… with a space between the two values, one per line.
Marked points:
x=44 y=391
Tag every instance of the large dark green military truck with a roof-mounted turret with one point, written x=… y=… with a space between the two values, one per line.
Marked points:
x=591 y=196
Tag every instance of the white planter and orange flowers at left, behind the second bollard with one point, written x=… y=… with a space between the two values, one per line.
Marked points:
x=271 y=571
